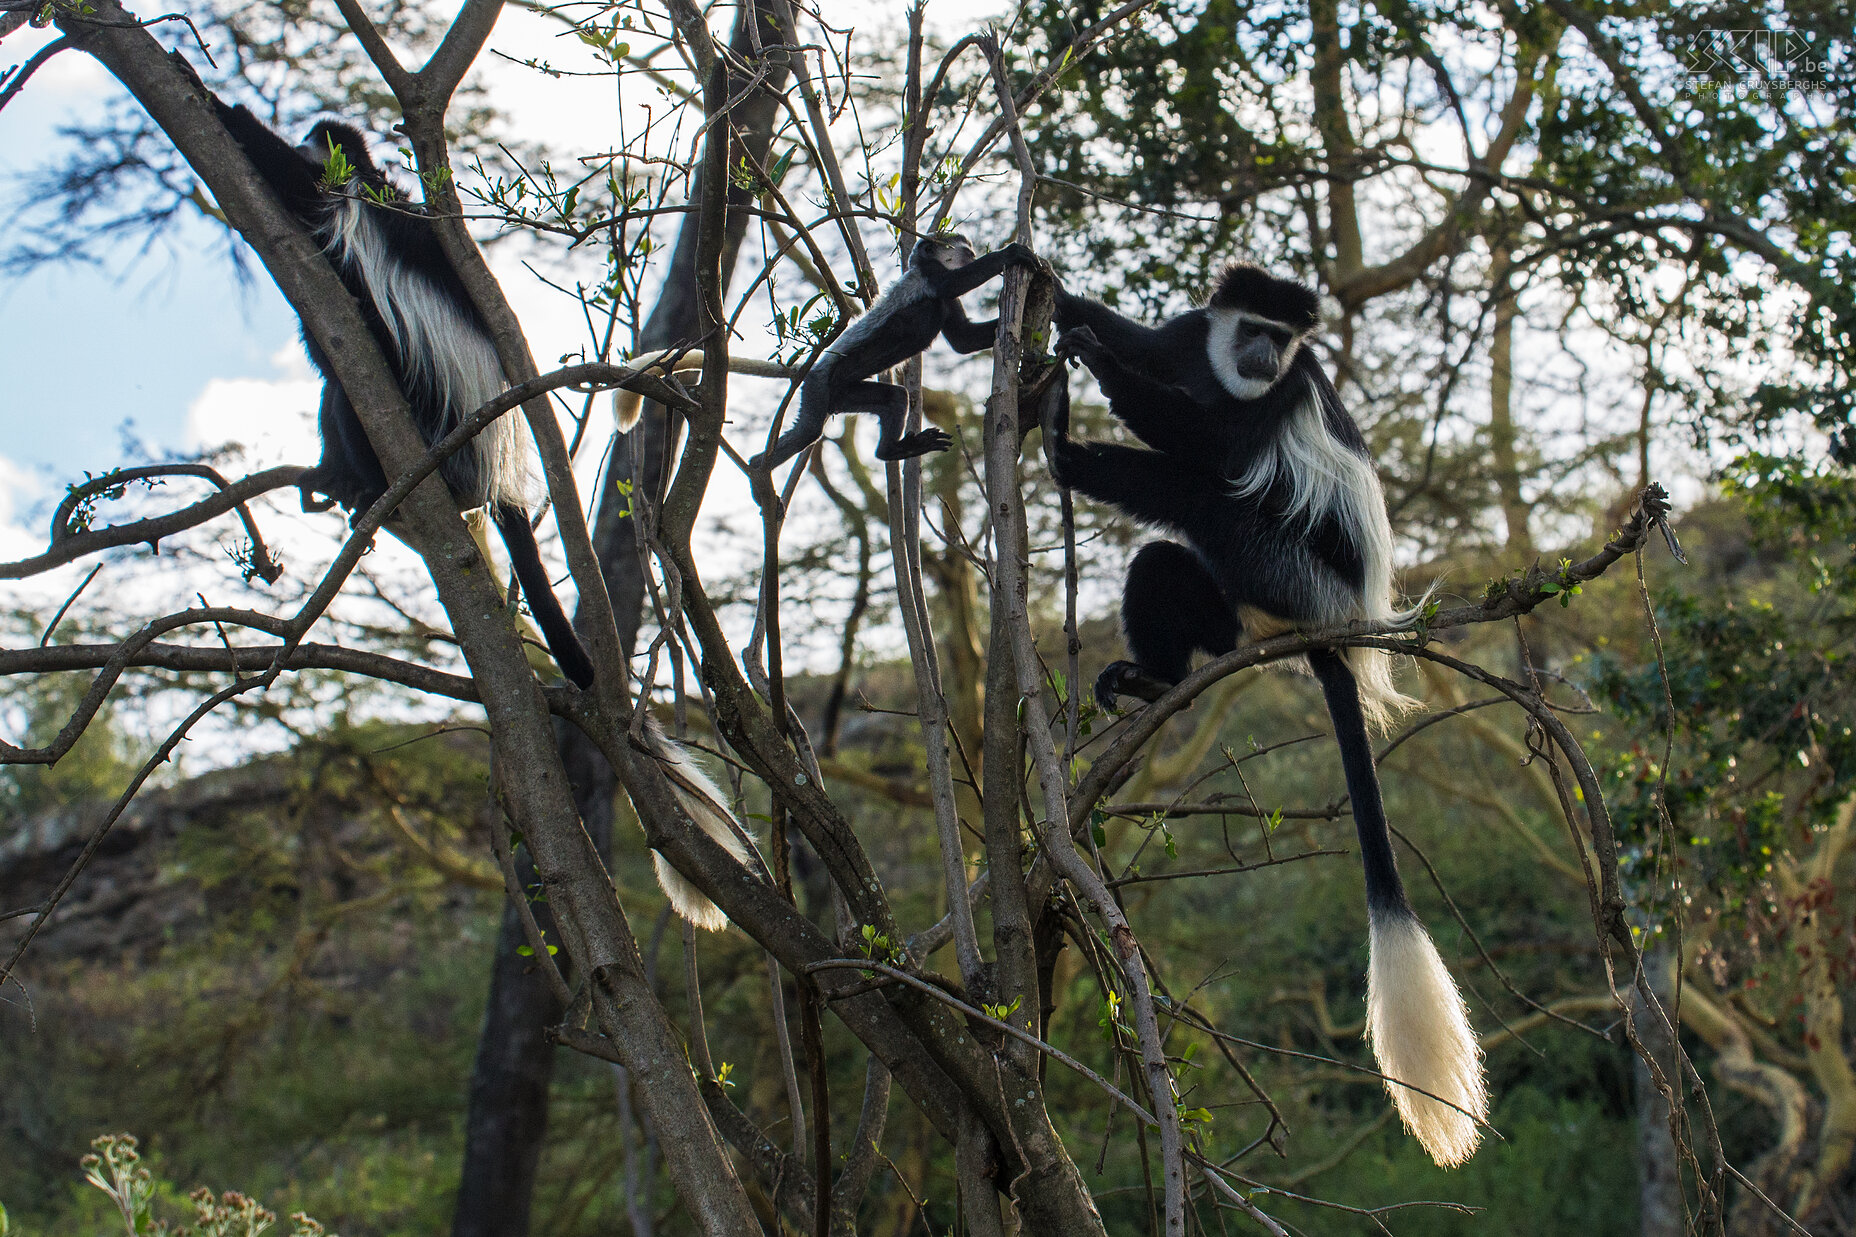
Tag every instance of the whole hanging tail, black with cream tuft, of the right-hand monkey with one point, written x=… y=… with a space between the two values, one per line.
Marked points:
x=1415 y=1017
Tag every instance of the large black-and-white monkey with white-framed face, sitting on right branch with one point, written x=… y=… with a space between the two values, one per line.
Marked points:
x=1267 y=482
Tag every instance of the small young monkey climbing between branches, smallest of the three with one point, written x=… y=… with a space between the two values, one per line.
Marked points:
x=922 y=306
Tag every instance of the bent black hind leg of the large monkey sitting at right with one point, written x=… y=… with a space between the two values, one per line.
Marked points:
x=1170 y=606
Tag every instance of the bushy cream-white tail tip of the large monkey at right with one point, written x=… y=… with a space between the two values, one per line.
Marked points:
x=1421 y=1034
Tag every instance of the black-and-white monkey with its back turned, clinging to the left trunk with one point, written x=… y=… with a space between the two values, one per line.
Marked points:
x=437 y=345
